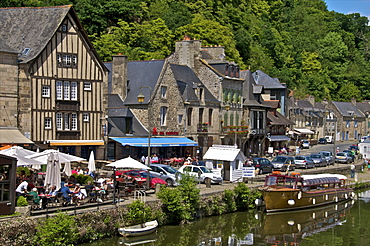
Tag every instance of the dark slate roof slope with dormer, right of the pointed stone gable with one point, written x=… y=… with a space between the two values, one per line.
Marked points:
x=186 y=79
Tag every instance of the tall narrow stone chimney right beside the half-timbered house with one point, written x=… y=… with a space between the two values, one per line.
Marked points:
x=119 y=75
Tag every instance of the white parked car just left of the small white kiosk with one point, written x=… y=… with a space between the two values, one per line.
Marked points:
x=201 y=173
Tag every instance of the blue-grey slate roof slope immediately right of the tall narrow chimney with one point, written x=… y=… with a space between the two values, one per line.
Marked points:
x=142 y=73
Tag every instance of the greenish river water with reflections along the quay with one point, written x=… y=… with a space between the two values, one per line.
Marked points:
x=340 y=224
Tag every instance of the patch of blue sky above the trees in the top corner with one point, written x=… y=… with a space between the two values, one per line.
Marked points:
x=349 y=6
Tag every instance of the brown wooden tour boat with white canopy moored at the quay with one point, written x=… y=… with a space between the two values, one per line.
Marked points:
x=291 y=192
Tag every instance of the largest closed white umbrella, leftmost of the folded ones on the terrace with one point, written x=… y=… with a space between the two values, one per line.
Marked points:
x=52 y=176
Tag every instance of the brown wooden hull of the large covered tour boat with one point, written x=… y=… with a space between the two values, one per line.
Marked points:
x=291 y=199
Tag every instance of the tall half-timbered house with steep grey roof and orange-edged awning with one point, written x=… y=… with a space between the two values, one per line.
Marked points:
x=61 y=82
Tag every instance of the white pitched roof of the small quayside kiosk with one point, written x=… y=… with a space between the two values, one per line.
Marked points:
x=223 y=154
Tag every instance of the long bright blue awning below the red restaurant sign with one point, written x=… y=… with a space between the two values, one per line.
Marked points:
x=155 y=141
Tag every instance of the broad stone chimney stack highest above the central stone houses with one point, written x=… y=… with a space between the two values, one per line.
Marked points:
x=188 y=51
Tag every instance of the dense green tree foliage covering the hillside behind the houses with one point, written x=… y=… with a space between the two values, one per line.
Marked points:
x=312 y=50
